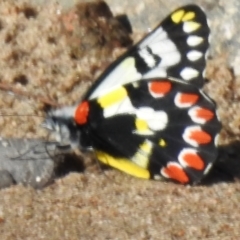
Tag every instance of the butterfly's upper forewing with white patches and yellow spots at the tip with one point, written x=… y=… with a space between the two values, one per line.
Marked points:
x=176 y=48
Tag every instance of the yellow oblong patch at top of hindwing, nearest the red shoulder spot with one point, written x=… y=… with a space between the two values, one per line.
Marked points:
x=112 y=97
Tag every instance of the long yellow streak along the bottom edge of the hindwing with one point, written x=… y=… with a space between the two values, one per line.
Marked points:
x=124 y=165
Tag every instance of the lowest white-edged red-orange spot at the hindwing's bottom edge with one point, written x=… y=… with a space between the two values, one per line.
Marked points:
x=175 y=172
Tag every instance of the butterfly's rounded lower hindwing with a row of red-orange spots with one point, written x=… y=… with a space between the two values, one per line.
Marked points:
x=157 y=127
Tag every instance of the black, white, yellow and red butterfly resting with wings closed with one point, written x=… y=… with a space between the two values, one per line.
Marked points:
x=146 y=115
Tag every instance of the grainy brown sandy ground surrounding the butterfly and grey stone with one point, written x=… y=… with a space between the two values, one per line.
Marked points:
x=41 y=61
